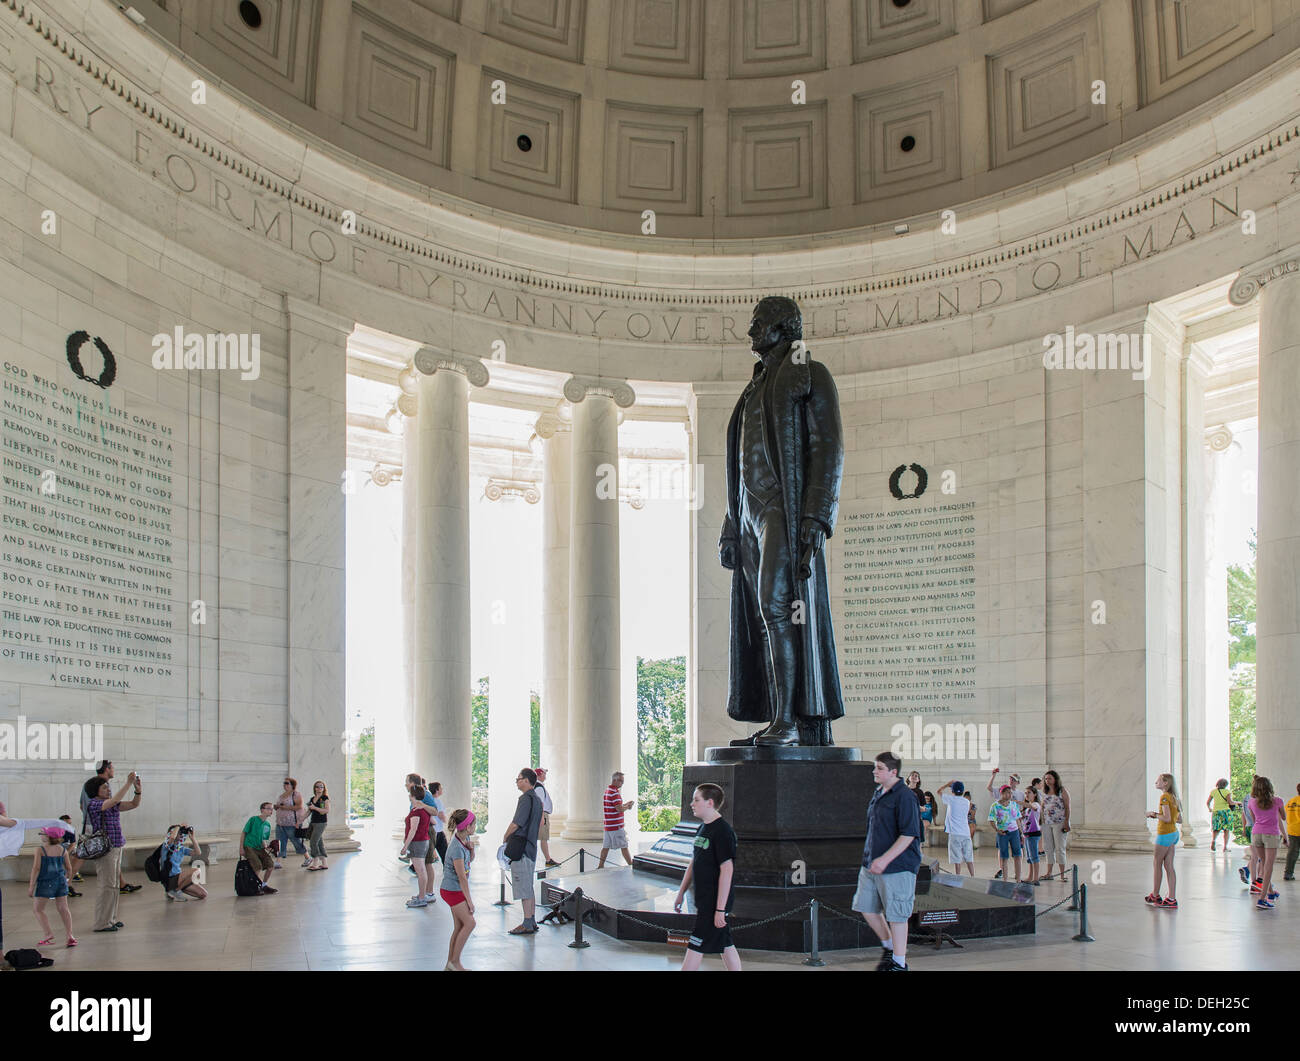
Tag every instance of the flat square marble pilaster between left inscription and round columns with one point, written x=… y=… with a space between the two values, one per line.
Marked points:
x=318 y=460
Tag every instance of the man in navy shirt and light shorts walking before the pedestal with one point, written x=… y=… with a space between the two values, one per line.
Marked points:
x=887 y=882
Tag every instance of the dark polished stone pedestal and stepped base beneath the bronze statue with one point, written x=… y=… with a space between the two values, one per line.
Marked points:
x=800 y=817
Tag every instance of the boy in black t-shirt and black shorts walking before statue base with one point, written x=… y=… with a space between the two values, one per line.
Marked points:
x=713 y=868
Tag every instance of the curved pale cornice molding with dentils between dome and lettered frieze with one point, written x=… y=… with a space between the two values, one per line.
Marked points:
x=872 y=248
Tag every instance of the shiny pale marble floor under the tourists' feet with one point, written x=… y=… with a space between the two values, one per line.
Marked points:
x=353 y=917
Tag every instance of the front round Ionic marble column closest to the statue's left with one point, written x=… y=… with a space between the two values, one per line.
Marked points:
x=595 y=600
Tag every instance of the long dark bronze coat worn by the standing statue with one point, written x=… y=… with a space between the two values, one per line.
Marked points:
x=803 y=436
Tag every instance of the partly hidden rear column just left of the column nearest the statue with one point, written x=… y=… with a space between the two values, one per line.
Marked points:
x=557 y=435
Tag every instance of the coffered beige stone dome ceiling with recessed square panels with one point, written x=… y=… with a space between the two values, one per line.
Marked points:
x=590 y=112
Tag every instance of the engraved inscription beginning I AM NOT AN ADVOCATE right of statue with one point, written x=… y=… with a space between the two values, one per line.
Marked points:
x=909 y=605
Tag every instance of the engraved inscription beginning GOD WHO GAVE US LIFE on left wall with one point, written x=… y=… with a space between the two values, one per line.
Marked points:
x=94 y=542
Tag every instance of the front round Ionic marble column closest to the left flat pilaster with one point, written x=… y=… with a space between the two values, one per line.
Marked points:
x=440 y=717
